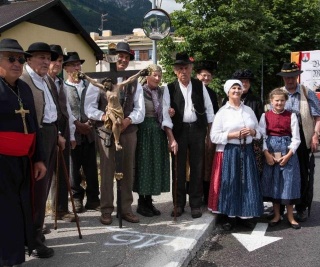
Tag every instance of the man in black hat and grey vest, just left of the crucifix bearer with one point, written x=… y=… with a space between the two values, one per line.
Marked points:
x=84 y=154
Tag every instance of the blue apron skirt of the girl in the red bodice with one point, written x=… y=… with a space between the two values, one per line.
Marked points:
x=281 y=184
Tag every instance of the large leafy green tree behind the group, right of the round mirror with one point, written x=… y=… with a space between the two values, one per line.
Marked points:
x=243 y=34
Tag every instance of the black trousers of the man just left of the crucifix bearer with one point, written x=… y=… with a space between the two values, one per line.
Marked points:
x=84 y=156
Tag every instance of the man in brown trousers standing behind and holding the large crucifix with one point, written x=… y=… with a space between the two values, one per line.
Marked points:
x=132 y=102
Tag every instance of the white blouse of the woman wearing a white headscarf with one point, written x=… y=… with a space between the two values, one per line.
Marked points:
x=229 y=119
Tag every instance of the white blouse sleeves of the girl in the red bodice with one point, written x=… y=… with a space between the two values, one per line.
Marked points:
x=295 y=139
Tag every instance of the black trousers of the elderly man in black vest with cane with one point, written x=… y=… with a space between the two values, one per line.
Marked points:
x=191 y=138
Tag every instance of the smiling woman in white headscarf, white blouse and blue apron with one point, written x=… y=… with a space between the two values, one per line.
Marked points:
x=235 y=186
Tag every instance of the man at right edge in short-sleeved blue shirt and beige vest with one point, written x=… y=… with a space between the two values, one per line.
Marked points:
x=305 y=104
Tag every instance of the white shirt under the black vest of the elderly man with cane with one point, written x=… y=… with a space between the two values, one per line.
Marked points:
x=189 y=111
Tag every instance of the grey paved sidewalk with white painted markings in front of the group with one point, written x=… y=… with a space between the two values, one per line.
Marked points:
x=155 y=241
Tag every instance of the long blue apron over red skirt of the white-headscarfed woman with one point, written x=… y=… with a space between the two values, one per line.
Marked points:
x=240 y=193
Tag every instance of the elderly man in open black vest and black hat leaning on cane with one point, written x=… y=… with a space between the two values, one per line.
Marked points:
x=190 y=123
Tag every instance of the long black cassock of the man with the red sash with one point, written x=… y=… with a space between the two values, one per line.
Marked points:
x=16 y=226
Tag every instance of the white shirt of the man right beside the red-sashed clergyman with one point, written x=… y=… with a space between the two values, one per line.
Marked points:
x=50 y=109
